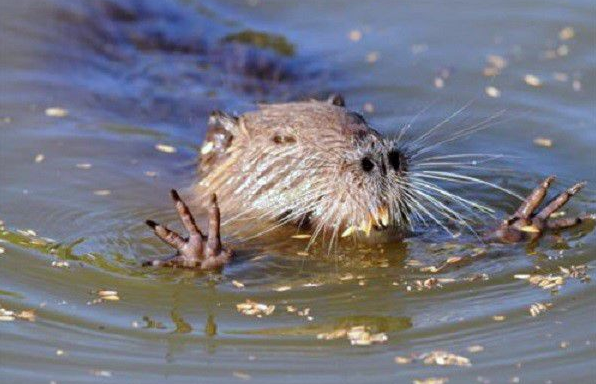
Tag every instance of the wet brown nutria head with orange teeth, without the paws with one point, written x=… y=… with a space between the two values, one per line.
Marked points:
x=311 y=163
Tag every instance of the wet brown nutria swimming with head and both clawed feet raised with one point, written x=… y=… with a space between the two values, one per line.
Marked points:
x=318 y=165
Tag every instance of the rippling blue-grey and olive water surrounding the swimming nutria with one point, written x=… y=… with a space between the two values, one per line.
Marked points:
x=149 y=73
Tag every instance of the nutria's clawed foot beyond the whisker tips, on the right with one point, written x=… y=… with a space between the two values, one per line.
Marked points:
x=524 y=224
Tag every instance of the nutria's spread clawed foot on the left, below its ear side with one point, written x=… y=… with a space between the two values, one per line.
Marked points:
x=196 y=251
